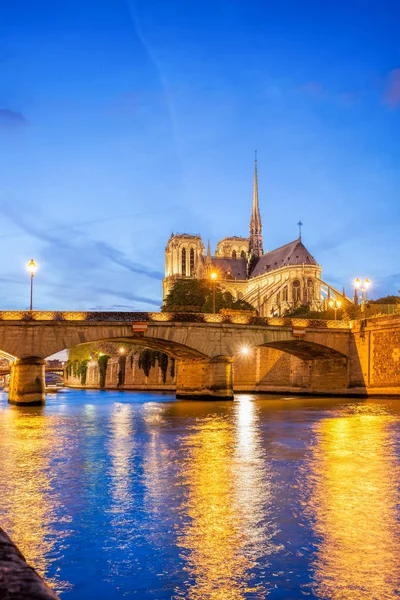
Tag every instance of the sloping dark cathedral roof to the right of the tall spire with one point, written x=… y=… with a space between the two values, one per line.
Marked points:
x=294 y=253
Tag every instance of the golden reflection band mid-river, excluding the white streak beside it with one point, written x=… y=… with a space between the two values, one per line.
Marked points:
x=213 y=538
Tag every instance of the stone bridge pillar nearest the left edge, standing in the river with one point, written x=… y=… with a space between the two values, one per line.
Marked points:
x=27 y=382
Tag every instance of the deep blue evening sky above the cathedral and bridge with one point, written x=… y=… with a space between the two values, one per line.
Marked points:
x=121 y=121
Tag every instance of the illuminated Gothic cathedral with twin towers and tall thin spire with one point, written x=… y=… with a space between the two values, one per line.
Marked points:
x=273 y=282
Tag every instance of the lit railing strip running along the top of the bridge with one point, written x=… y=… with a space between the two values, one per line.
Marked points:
x=156 y=317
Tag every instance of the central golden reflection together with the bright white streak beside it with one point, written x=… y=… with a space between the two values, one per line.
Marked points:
x=224 y=527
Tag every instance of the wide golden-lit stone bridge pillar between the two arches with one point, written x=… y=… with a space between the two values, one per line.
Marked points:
x=205 y=380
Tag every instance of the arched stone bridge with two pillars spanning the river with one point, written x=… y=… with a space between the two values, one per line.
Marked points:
x=204 y=345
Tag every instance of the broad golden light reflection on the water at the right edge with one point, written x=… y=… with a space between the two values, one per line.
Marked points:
x=353 y=503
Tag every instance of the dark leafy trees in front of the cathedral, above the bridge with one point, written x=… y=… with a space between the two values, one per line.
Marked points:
x=197 y=295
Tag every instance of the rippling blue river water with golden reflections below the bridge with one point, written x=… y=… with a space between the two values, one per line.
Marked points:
x=136 y=495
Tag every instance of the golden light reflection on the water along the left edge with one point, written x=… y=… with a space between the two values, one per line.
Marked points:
x=28 y=440
